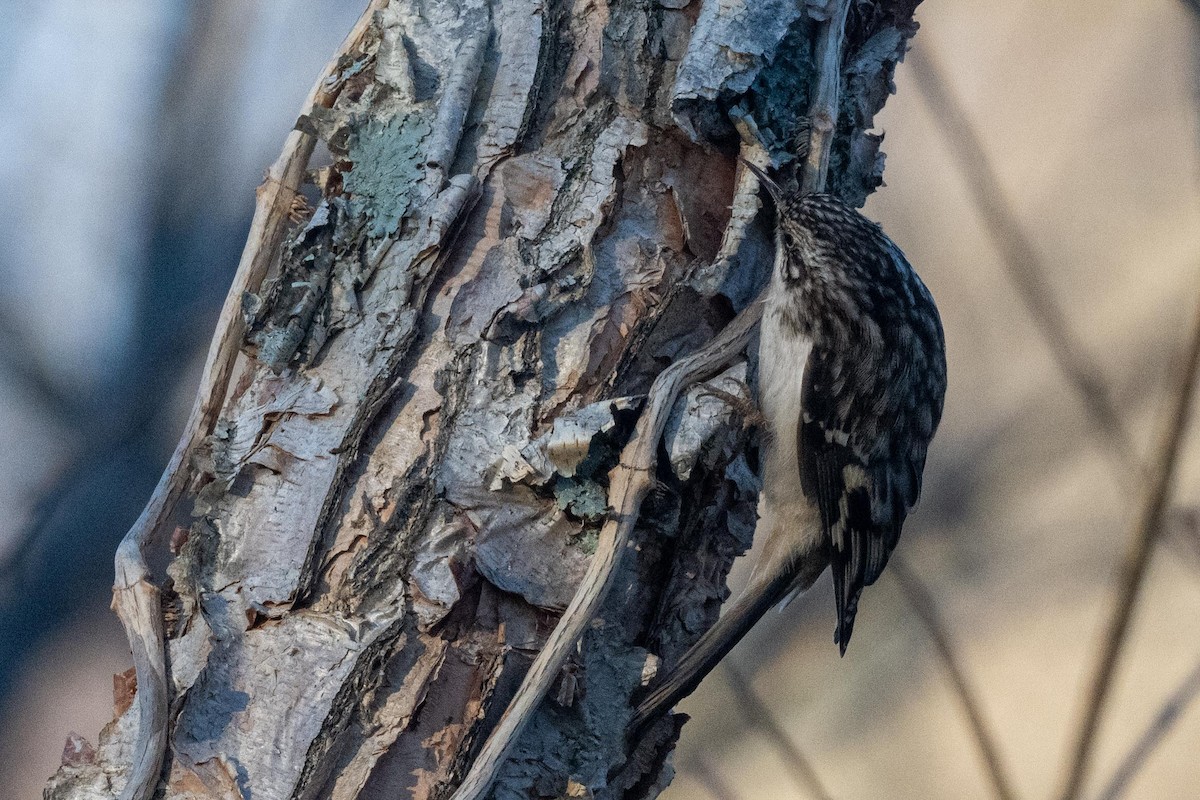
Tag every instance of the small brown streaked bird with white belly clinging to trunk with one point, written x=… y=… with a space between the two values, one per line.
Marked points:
x=851 y=387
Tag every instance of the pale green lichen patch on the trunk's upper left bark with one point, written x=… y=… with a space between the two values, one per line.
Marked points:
x=386 y=178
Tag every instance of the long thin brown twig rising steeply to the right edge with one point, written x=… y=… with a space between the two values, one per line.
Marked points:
x=1133 y=568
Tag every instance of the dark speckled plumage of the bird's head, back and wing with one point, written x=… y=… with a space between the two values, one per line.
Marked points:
x=873 y=388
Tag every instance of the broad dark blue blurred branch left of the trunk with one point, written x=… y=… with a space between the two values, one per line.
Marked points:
x=64 y=561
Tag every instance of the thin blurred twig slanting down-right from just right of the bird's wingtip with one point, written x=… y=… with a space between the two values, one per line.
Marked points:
x=922 y=601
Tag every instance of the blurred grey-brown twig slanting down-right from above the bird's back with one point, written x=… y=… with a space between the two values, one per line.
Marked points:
x=1023 y=264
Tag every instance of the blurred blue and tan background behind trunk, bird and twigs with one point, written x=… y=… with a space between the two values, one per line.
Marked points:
x=1087 y=115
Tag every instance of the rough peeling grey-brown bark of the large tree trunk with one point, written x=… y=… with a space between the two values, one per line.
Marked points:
x=524 y=215
